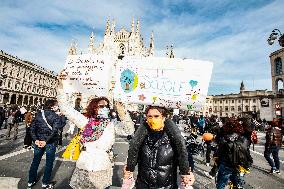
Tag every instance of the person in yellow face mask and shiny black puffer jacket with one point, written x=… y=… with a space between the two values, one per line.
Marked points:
x=159 y=149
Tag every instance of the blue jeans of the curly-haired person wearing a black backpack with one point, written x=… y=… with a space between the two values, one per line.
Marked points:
x=225 y=174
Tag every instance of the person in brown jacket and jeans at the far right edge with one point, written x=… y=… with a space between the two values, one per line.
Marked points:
x=272 y=145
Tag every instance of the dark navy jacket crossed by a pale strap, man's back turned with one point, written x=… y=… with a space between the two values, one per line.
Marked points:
x=40 y=130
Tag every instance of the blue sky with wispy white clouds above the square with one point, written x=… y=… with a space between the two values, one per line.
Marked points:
x=230 y=33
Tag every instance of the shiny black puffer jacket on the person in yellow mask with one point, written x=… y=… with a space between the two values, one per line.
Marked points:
x=157 y=163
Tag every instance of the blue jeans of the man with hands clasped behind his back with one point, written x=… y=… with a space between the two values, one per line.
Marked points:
x=50 y=150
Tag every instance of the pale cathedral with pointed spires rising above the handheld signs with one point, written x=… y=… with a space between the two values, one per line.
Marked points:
x=121 y=43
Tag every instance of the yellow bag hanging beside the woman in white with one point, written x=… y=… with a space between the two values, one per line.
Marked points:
x=73 y=150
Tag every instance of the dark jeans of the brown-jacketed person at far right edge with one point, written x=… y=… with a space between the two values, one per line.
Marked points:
x=275 y=165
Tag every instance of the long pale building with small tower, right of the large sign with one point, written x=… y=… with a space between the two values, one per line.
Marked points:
x=258 y=102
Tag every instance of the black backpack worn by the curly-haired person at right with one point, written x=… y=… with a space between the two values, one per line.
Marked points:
x=237 y=150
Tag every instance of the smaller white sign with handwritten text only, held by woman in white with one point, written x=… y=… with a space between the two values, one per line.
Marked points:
x=88 y=74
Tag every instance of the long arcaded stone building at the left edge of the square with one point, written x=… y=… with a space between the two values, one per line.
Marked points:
x=25 y=83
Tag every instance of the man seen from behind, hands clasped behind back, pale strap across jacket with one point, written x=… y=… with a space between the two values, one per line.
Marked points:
x=44 y=133
